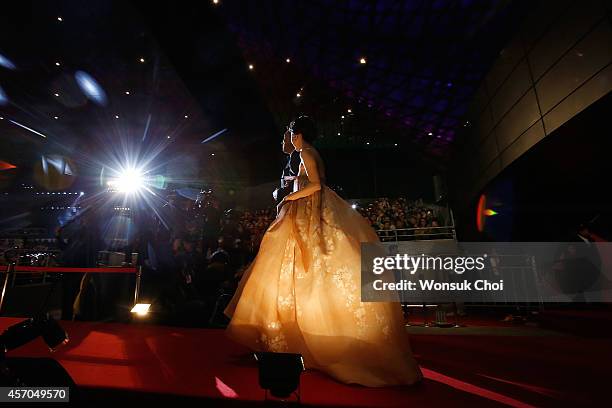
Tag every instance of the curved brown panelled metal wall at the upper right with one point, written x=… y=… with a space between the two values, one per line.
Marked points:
x=558 y=64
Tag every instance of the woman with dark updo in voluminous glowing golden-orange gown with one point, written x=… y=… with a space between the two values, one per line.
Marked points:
x=301 y=294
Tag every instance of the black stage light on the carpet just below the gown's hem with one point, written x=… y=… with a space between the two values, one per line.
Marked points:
x=280 y=373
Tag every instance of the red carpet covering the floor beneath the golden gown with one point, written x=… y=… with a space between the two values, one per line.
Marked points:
x=459 y=370
